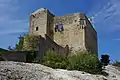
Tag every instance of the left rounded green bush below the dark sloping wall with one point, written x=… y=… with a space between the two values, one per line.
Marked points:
x=54 y=60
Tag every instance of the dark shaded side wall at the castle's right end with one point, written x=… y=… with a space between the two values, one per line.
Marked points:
x=90 y=37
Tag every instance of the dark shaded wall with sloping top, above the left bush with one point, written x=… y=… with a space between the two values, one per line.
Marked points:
x=48 y=44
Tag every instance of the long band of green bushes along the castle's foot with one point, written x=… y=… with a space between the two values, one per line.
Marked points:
x=82 y=61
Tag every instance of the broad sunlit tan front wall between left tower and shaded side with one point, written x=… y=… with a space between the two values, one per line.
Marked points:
x=73 y=34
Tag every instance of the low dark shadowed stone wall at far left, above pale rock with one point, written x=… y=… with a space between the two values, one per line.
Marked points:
x=19 y=56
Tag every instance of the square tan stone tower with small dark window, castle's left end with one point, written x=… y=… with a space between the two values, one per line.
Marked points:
x=41 y=23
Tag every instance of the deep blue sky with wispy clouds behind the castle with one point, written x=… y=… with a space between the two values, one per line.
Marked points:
x=14 y=20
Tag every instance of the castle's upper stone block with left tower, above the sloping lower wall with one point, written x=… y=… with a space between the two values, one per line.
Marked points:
x=74 y=30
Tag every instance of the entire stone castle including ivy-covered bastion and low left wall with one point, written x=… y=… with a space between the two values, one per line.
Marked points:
x=62 y=34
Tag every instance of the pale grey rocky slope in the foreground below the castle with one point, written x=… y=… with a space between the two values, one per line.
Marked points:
x=27 y=71
